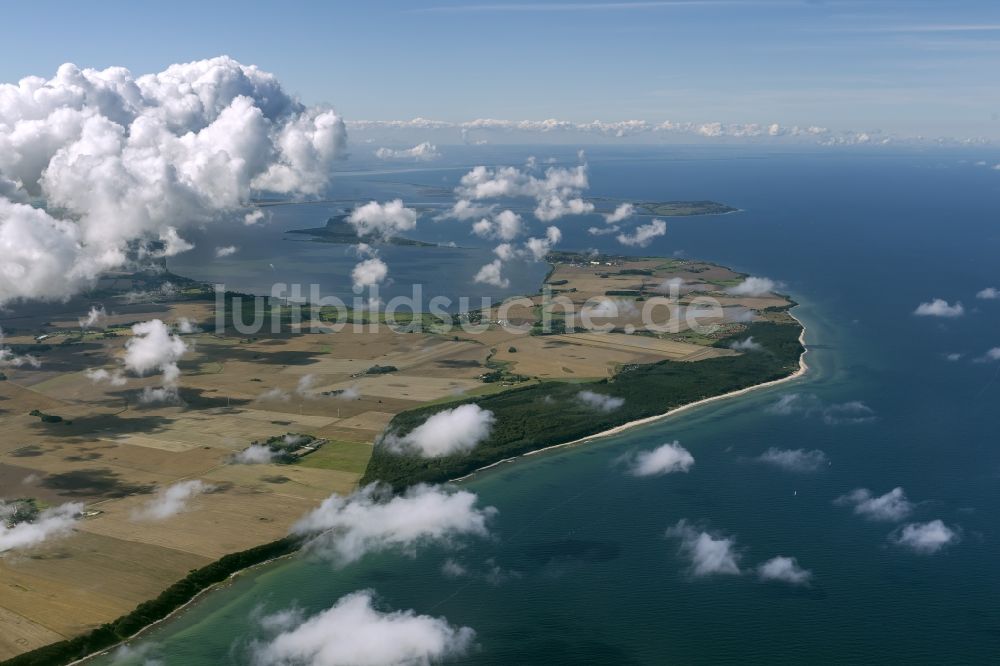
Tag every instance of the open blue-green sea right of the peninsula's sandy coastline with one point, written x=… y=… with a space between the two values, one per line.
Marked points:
x=860 y=240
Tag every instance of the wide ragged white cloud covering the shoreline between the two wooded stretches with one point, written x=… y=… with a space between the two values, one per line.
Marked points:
x=373 y=519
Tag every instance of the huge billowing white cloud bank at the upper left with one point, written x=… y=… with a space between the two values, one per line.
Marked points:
x=127 y=158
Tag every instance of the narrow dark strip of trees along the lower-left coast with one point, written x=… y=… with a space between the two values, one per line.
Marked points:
x=148 y=612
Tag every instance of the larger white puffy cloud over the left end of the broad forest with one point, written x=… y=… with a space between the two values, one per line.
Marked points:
x=447 y=432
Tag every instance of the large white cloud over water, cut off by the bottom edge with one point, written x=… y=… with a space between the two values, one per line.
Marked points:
x=354 y=631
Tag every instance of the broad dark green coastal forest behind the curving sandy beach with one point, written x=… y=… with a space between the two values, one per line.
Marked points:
x=551 y=412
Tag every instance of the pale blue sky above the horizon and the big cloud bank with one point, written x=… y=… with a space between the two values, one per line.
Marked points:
x=910 y=66
